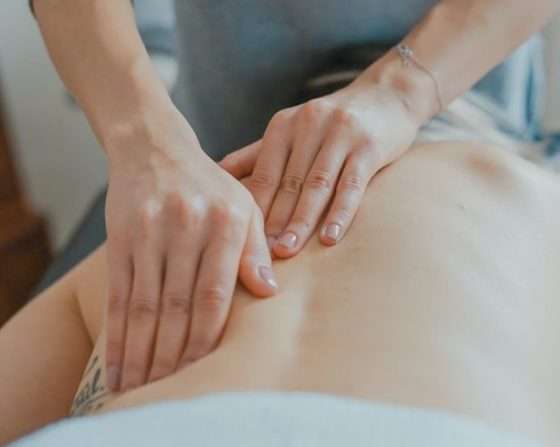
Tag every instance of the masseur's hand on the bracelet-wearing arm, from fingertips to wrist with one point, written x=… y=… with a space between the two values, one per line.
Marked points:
x=326 y=149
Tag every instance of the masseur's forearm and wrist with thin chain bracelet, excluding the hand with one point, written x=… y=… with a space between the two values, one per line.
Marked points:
x=458 y=42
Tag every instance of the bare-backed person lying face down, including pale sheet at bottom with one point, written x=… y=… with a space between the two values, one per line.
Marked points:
x=435 y=322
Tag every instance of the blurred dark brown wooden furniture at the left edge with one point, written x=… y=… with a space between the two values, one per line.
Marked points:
x=24 y=246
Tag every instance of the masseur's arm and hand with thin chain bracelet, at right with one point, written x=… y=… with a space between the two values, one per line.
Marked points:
x=358 y=130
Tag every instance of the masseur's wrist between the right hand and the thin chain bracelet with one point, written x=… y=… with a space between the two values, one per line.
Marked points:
x=415 y=89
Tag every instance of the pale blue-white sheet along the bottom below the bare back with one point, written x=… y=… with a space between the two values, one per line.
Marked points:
x=275 y=420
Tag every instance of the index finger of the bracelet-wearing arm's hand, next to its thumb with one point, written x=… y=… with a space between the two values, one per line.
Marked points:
x=271 y=162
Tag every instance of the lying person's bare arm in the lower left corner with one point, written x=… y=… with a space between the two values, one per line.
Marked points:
x=40 y=370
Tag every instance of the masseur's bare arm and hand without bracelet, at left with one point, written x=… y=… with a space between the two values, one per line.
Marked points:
x=179 y=229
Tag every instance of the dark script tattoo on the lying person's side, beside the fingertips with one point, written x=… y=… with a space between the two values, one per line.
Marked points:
x=92 y=392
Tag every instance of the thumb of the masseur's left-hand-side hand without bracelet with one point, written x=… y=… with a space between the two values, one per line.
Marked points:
x=255 y=268
